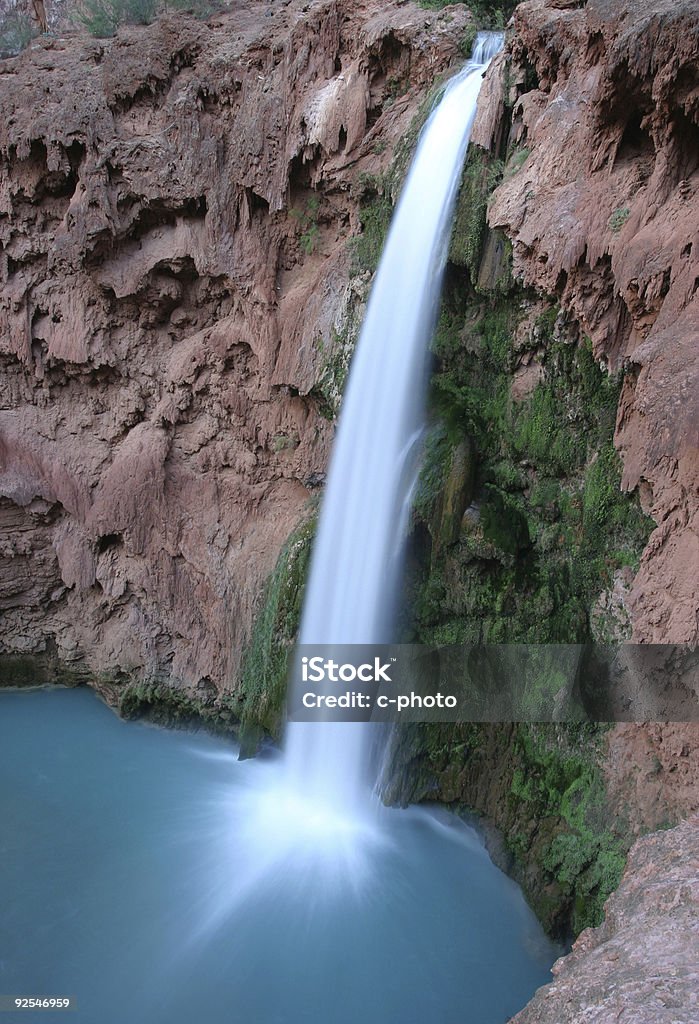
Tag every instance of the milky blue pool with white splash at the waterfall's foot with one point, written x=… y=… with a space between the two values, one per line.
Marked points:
x=154 y=878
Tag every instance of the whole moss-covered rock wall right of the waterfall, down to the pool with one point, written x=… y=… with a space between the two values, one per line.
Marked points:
x=546 y=535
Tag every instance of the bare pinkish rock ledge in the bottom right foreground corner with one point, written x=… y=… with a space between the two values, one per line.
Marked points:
x=642 y=966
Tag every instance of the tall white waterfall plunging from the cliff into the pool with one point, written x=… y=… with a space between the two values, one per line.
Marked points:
x=356 y=568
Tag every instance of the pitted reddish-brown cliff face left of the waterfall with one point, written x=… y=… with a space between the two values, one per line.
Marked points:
x=174 y=212
